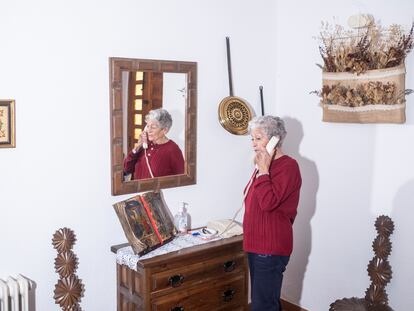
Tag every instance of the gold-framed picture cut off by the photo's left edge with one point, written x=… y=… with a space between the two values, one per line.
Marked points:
x=7 y=124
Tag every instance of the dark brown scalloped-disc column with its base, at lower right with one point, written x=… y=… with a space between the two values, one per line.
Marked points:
x=379 y=271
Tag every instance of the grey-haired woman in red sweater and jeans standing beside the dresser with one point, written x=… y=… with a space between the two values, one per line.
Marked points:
x=271 y=201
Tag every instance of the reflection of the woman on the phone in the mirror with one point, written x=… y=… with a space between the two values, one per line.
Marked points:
x=155 y=155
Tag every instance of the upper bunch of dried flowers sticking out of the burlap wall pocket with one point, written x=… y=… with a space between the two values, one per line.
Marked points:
x=375 y=48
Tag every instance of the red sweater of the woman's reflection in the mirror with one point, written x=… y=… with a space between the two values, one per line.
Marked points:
x=165 y=159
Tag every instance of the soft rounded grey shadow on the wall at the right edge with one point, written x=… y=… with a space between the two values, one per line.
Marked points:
x=402 y=254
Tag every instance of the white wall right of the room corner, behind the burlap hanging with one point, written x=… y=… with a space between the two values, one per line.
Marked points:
x=352 y=173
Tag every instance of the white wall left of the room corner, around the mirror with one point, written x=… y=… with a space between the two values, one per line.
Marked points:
x=54 y=63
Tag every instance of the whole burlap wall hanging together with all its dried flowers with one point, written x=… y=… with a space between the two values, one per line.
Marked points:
x=363 y=78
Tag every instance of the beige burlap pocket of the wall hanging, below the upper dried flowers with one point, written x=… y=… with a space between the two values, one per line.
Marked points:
x=388 y=85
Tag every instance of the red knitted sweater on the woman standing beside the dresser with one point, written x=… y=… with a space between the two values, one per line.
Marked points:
x=271 y=205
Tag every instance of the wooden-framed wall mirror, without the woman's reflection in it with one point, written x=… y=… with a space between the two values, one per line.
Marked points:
x=140 y=85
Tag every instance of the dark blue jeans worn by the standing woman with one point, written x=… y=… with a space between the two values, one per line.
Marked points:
x=266 y=275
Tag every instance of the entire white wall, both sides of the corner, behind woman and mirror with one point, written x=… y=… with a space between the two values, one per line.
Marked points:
x=54 y=63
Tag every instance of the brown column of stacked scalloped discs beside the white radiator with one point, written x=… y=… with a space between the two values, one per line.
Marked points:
x=69 y=288
